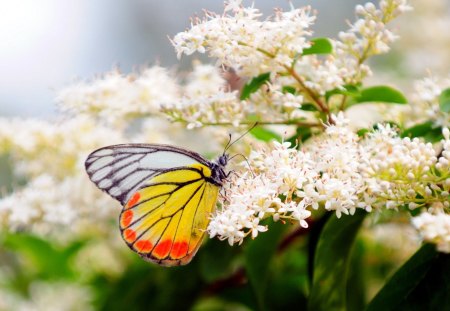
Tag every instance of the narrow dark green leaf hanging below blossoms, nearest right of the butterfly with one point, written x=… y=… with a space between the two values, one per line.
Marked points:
x=258 y=257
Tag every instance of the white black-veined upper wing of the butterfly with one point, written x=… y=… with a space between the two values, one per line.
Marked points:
x=120 y=170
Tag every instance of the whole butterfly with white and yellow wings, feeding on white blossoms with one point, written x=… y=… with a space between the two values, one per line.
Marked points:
x=167 y=193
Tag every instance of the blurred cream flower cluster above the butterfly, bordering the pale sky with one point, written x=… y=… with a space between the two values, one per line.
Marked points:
x=116 y=98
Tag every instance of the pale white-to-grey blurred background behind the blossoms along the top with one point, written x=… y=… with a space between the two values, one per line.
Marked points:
x=47 y=44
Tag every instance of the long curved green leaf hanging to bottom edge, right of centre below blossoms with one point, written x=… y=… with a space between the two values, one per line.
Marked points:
x=331 y=262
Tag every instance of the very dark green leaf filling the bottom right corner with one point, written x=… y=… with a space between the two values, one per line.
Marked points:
x=422 y=283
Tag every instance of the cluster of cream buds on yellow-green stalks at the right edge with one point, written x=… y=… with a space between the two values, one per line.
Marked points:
x=407 y=170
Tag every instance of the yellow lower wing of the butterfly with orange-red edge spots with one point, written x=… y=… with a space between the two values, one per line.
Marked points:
x=166 y=218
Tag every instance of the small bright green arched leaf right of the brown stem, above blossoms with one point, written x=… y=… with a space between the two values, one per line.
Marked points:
x=381 y=93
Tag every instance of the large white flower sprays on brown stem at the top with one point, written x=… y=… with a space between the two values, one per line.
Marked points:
x=240 y=40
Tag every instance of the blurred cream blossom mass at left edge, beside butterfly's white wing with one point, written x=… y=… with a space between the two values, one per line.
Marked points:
x=51 y=157
